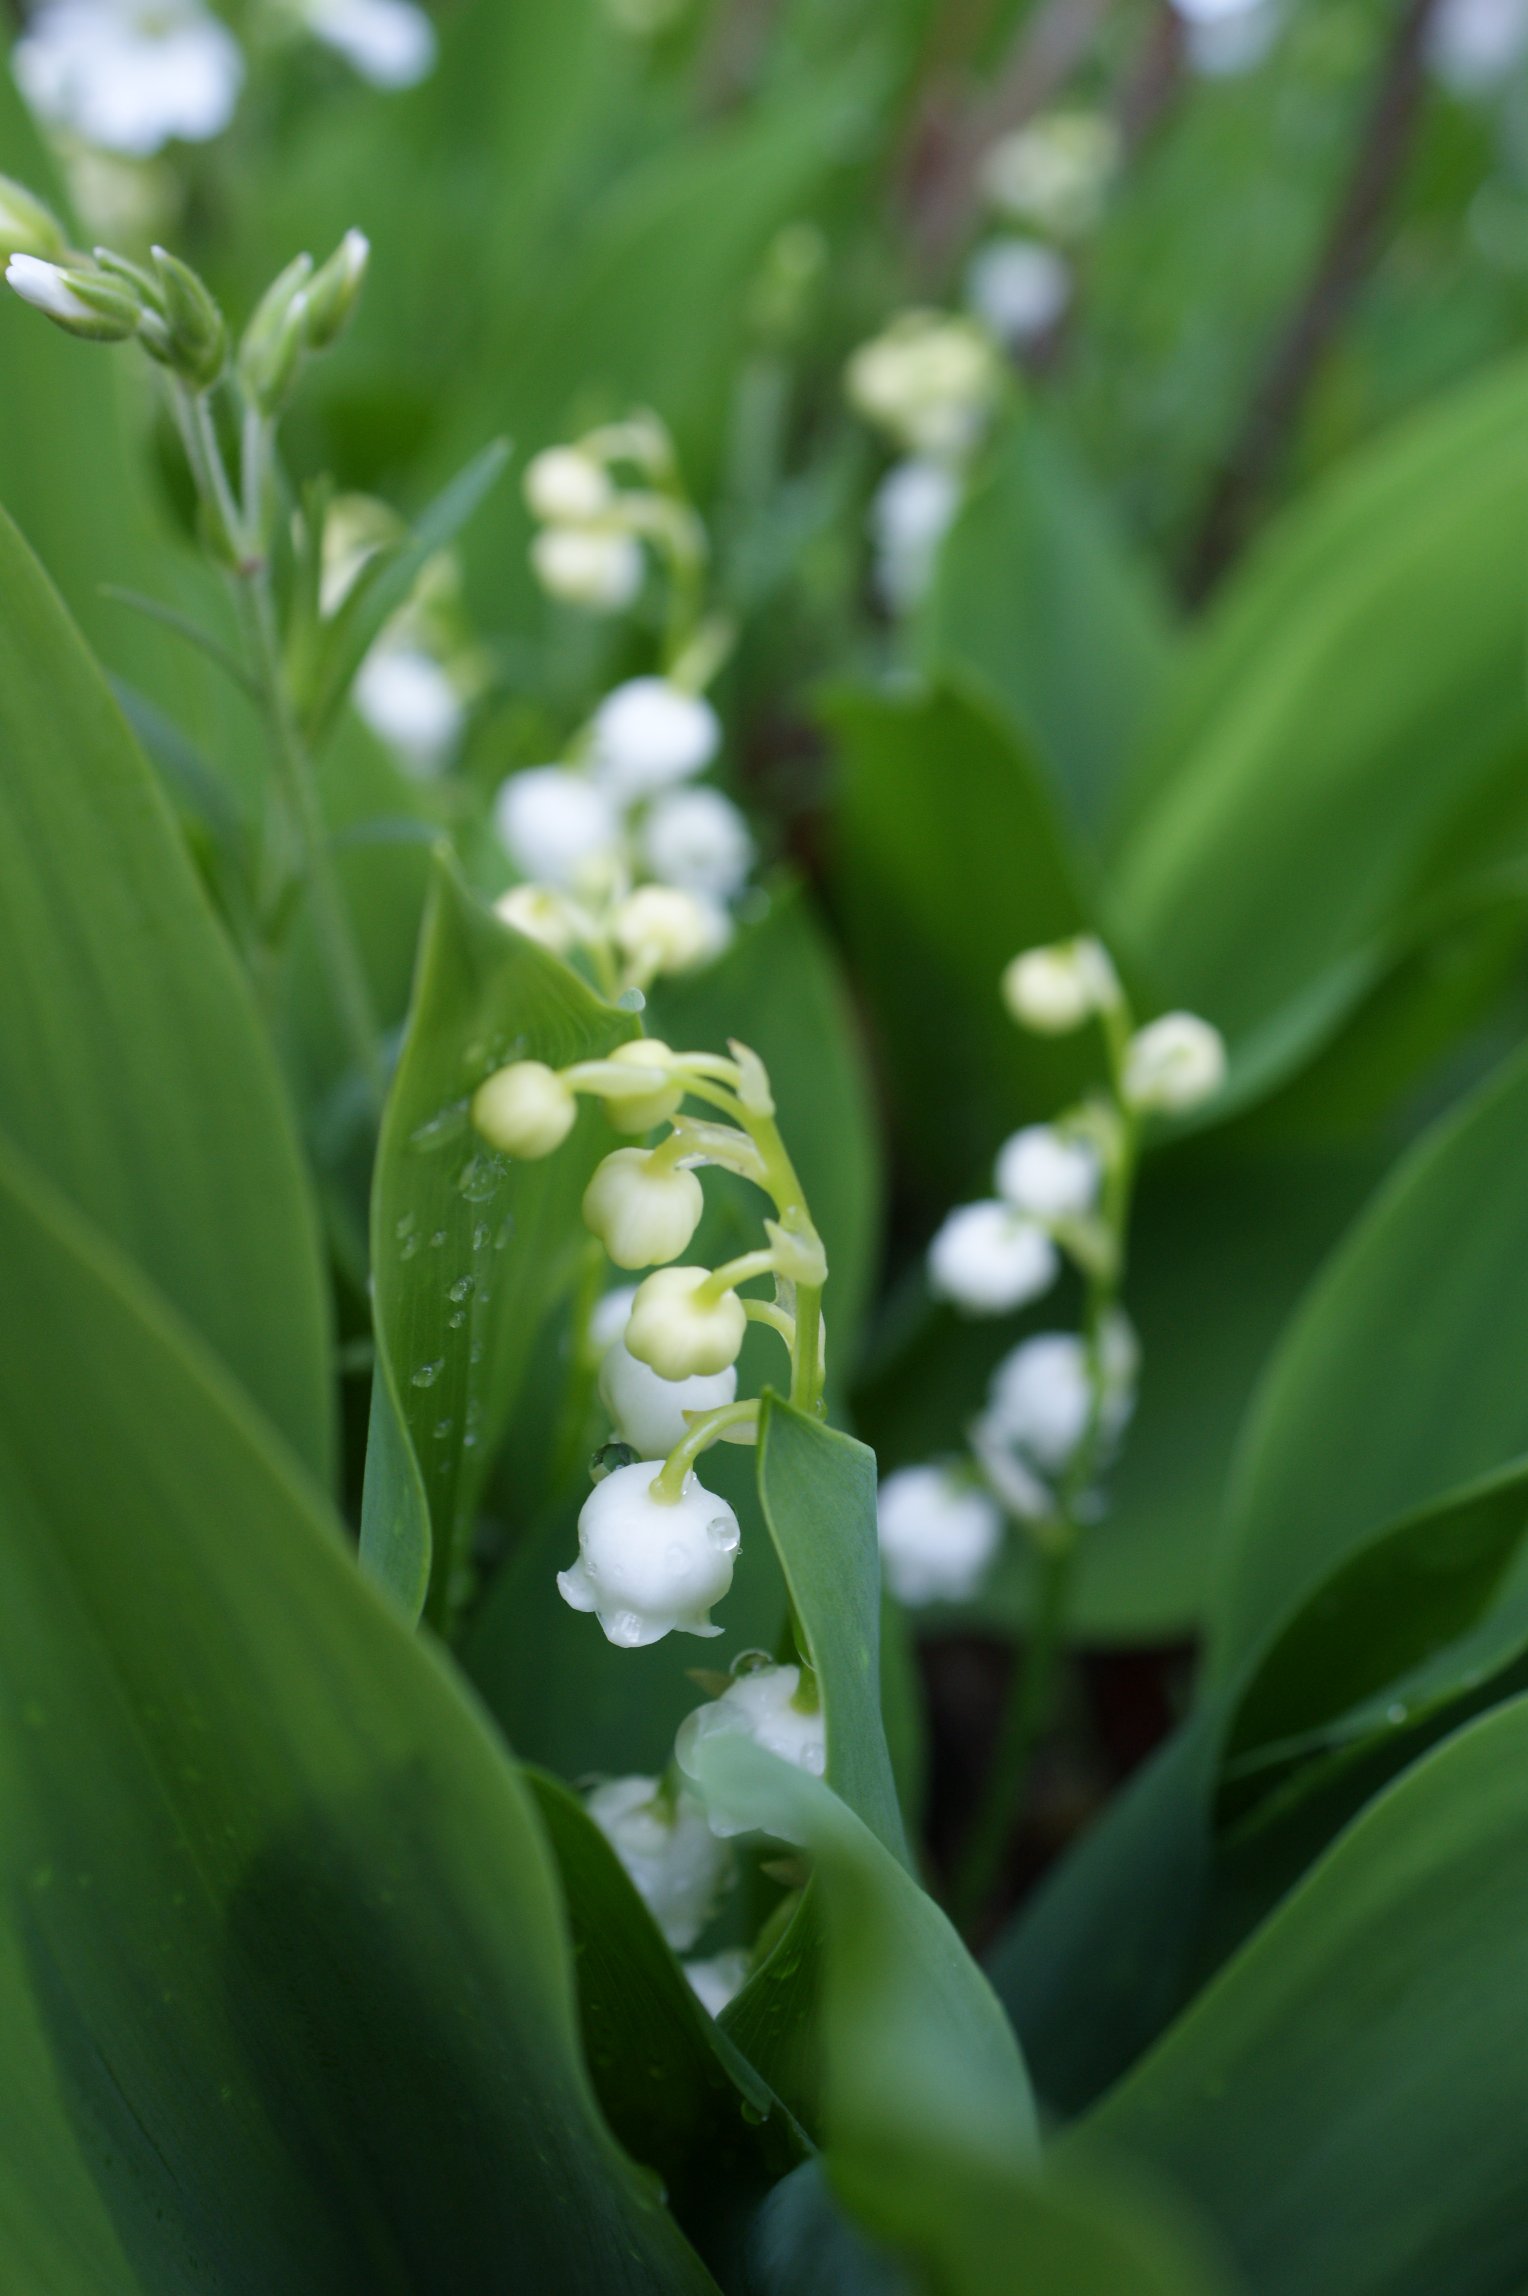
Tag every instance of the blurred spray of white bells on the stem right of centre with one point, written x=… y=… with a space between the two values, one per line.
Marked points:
x=1059 y=1402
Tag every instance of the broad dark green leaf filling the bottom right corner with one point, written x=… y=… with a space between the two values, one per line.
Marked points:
x=1346 y=2100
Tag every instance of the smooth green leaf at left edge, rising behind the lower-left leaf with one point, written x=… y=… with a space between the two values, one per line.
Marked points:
x=132 y=1064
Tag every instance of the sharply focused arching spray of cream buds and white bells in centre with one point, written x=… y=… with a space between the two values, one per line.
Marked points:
x=655 y=1546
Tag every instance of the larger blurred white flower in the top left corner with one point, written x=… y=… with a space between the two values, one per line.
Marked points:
x=130 y=75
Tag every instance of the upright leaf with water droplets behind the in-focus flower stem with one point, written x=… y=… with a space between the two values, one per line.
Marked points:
x=469 y=1250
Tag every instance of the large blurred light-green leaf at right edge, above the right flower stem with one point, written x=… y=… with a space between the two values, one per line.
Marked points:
x=1357 y=688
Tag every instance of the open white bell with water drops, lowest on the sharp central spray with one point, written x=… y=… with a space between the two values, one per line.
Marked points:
x=650 y=1567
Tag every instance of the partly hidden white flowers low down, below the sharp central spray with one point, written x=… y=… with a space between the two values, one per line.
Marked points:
x=676 y=1849
